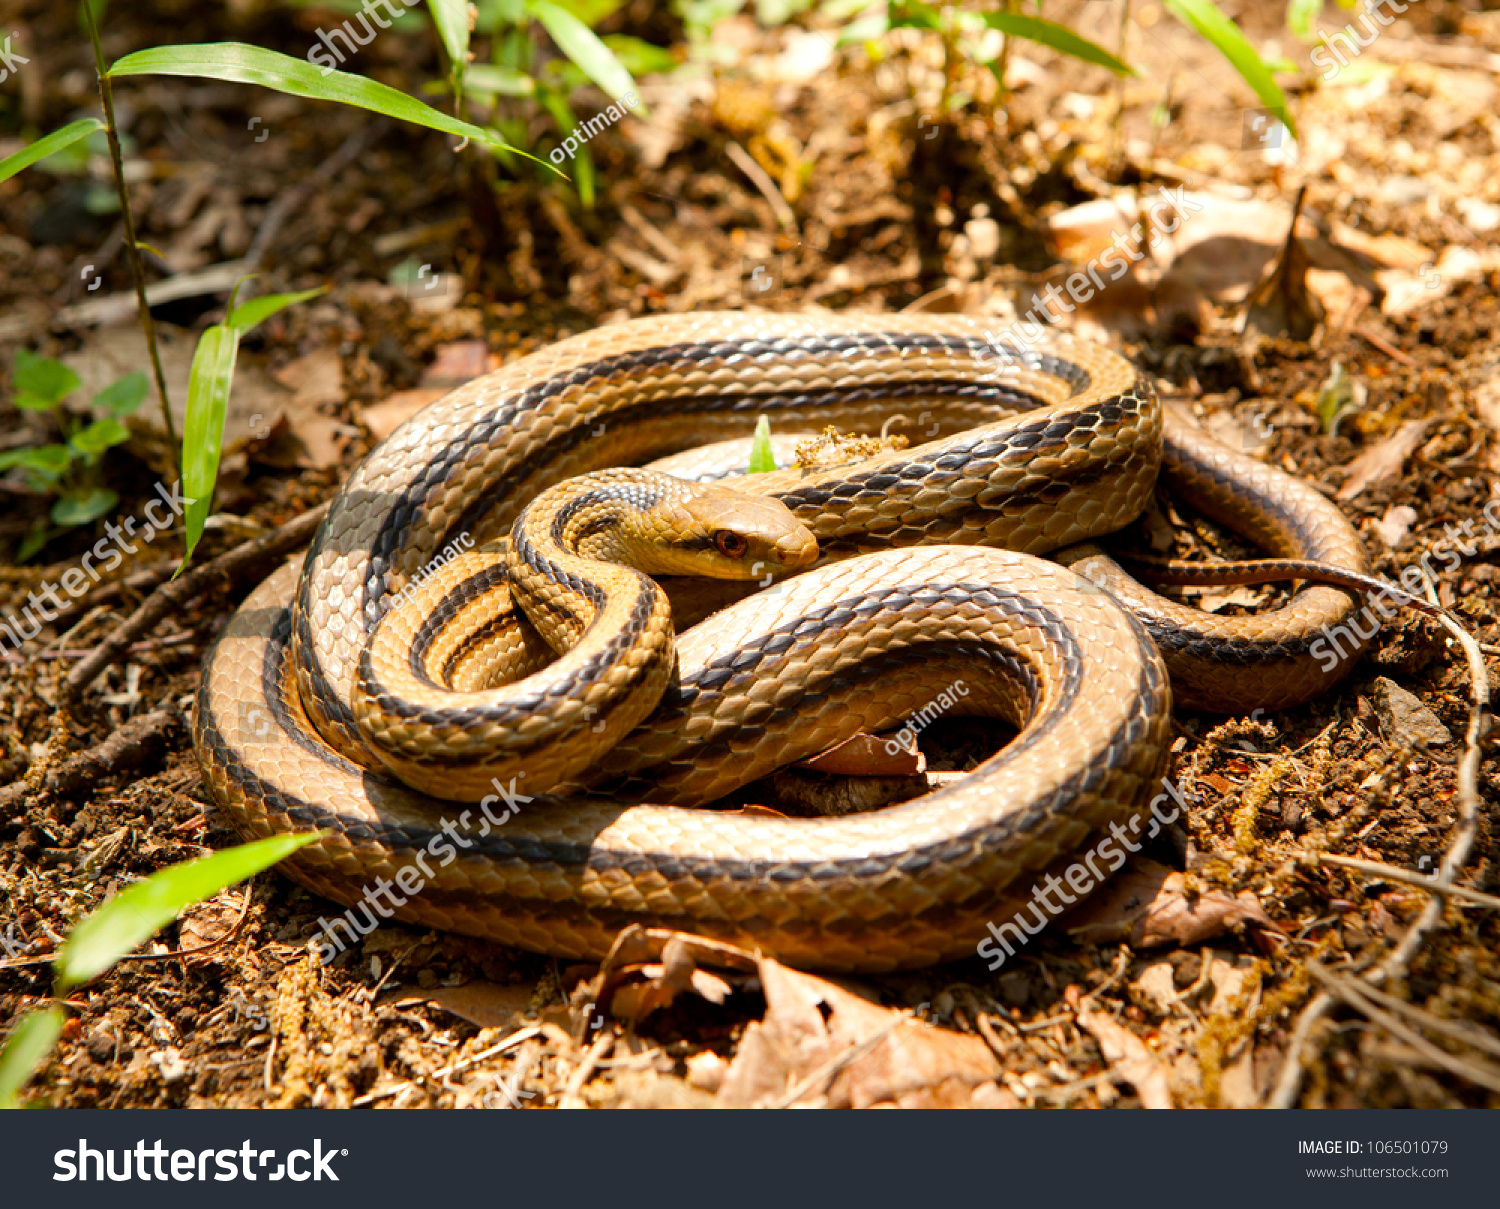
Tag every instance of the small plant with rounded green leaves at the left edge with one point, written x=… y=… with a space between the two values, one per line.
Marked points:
x=70 y=469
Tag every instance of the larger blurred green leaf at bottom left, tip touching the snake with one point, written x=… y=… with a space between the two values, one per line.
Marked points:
x=146 y=908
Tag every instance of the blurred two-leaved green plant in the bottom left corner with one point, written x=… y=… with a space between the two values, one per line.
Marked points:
x=119 y=926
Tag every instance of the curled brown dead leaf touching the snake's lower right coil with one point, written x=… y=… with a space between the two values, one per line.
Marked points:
x=1148 y=905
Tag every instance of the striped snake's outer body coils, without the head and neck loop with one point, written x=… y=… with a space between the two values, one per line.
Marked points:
x=1031 y=452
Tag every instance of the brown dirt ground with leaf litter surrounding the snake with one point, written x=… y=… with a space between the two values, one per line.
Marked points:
x=1400 y=248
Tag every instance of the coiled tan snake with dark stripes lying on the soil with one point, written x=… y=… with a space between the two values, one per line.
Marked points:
x=403 y=688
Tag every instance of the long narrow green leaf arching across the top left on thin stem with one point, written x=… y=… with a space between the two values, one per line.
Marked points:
x=239 y=64
